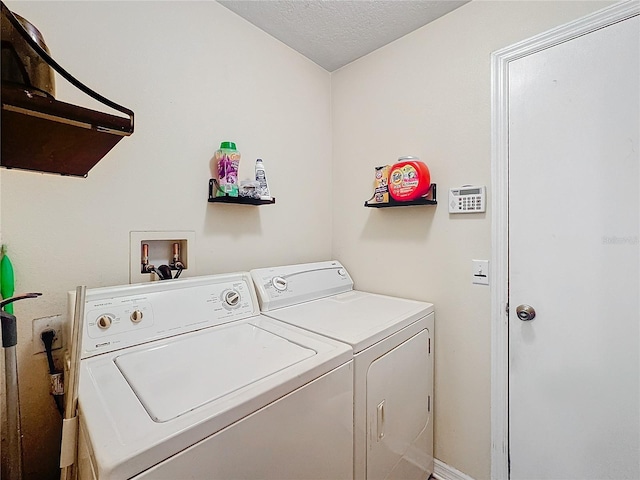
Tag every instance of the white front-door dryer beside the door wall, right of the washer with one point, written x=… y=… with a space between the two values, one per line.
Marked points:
x=392 y=341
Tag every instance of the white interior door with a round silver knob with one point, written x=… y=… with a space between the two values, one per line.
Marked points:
x=574 y=257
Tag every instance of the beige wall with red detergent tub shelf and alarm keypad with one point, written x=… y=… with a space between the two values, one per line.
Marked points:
x=428 y=94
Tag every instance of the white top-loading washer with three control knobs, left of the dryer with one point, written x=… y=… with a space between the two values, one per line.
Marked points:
x=185 y=379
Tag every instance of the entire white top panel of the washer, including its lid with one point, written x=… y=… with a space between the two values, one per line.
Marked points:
x=126 y=440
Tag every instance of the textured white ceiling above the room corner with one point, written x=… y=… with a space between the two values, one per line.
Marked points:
x=333 y=33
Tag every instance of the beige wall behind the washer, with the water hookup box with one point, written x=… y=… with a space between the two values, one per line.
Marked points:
x=195 y=74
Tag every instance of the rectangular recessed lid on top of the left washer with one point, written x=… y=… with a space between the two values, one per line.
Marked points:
x=168 y=378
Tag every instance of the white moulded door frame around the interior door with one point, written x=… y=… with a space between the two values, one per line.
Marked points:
x=500 y=210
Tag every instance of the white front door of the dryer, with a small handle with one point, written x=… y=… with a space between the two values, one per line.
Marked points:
x=398 y=411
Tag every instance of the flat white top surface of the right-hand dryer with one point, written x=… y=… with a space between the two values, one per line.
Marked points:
x=360 y=319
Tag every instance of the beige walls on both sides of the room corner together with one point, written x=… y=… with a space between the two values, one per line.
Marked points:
x=195 y=75
